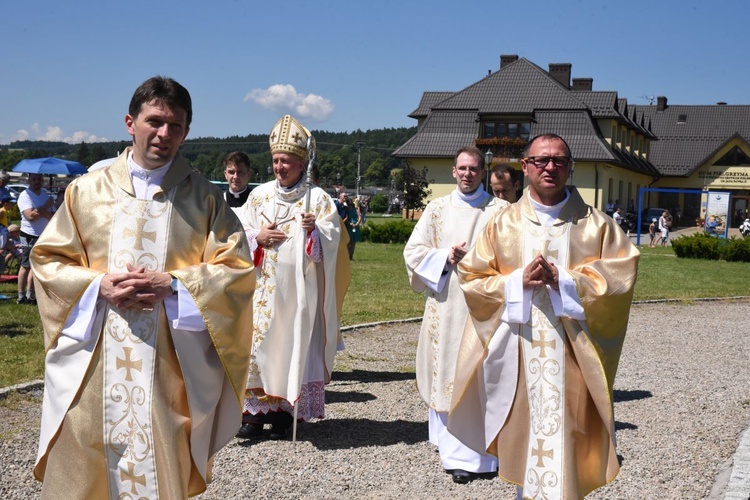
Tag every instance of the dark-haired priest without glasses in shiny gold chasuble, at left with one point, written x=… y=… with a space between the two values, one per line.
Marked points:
x=145 y=283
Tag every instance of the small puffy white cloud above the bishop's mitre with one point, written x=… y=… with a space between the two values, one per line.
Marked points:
x=285 y=98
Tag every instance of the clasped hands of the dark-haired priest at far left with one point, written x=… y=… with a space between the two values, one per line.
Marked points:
x=135 y=289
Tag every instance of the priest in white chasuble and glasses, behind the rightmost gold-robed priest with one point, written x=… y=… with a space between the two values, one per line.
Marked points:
x=445 y=232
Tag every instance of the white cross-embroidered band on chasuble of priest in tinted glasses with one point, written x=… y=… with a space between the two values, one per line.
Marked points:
x=543 y=348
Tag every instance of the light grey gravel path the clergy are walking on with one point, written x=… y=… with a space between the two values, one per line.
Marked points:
x=682 y=398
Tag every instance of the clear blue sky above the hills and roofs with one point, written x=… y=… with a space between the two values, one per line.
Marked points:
x=68 y=69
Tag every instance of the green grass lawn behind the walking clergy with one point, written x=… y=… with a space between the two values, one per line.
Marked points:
x=380 y=291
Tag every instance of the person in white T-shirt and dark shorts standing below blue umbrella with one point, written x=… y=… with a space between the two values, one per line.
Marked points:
x=36 y=207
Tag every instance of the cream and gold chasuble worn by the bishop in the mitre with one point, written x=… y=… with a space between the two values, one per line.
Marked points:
x=296 y=319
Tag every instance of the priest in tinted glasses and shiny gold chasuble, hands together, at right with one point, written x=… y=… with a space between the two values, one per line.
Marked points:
x=549 y=284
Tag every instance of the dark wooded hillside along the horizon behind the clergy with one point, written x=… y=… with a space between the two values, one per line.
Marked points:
x=337 y=154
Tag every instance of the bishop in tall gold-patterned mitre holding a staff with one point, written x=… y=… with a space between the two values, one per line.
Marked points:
x=294 y=232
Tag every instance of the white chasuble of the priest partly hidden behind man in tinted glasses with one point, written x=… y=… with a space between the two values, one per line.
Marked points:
x=441 y=226
